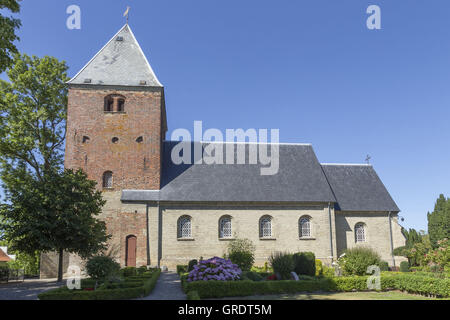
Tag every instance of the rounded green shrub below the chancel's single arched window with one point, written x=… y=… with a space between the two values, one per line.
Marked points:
x=357 y=260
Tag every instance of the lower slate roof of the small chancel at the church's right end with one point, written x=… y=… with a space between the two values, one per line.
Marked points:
x=358 y=188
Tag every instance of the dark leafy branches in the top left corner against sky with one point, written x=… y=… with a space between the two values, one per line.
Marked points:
x=8 y=26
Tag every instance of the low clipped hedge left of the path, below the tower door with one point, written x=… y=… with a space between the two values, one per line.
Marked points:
x=139 y=286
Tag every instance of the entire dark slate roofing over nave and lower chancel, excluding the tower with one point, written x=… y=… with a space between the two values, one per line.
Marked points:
x=301 y=178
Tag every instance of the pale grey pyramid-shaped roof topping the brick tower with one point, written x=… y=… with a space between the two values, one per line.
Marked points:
x=120 y=62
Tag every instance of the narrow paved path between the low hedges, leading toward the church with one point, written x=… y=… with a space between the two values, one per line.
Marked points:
x=168 y=287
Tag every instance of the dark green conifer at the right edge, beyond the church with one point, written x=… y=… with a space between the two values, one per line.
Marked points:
x=439 y=221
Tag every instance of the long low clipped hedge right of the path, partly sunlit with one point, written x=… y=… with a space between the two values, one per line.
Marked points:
x=407 y=282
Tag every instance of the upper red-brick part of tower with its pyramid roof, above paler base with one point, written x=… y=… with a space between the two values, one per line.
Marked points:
x=116 y=118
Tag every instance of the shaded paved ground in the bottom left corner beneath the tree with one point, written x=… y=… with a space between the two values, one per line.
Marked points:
x=27 y=290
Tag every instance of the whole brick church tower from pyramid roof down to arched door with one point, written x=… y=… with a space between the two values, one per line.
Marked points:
x=116 y=125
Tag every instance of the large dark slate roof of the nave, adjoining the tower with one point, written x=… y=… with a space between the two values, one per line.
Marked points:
x=299 y=179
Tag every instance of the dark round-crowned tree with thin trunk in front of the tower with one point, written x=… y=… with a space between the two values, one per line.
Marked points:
x=56 y=214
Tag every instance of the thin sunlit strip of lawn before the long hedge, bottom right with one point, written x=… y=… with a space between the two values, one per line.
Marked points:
x=389 y=295
